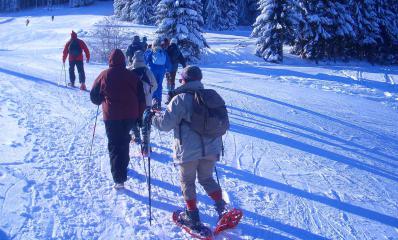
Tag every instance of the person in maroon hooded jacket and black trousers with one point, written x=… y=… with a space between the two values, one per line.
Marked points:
x=119 y=92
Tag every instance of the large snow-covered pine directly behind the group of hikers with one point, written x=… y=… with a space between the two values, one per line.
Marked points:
x=182 y=19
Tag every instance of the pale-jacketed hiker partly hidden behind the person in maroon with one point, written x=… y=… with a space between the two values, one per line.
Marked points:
x=149 y=86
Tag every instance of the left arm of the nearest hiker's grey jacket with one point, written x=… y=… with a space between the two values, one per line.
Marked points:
x=172 y=117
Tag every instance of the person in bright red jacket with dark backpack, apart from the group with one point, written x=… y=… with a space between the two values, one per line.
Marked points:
x=74 y=48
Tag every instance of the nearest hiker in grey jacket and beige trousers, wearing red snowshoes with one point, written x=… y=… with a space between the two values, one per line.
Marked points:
x=194 y=158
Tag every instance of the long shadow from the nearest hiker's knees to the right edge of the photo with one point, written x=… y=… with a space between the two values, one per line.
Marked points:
x=248 y=177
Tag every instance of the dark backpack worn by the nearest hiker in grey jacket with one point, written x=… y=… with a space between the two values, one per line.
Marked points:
x=209 y=116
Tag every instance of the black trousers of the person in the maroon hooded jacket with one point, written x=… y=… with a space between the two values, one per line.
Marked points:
x=118 y=133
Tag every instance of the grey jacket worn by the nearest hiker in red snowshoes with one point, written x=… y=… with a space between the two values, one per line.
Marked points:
x=177 y=117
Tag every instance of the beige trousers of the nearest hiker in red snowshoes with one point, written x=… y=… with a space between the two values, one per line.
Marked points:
x=204 y=168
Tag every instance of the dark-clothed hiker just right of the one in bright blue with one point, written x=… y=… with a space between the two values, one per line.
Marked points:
x=176 y=58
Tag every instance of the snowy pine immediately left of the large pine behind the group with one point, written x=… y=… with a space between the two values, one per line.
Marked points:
x=143 y=11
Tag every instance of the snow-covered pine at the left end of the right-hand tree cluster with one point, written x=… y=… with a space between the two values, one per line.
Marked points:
x=274 y=27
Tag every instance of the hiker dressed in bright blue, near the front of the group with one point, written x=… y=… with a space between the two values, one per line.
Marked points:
x=159 y=63
